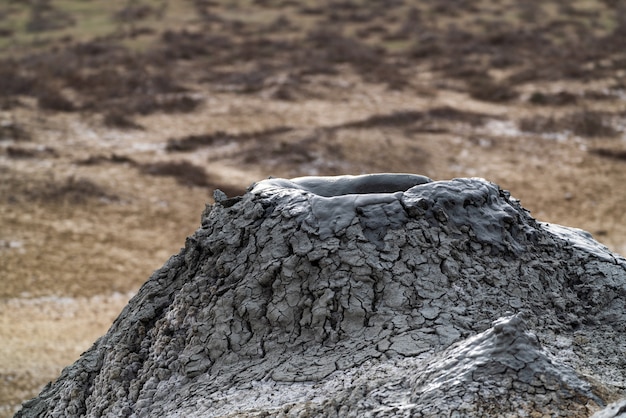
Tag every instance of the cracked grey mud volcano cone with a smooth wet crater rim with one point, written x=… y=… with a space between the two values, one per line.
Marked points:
x=381 y=295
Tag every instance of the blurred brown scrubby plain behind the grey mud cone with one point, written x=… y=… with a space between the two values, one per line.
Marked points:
x=119 y=118
